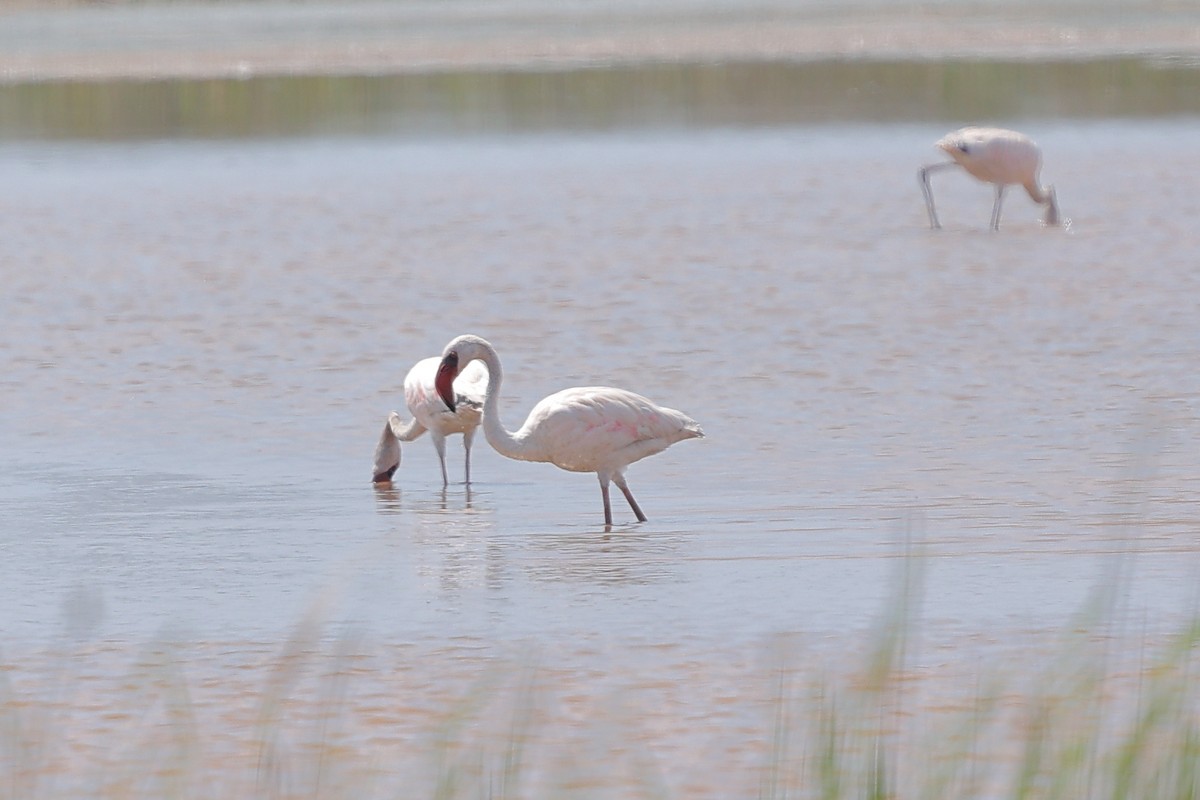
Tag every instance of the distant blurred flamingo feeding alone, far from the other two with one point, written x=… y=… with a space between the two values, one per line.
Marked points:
x=994 y=157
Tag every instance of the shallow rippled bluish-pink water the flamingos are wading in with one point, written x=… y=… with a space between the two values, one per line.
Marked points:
x=202 y=340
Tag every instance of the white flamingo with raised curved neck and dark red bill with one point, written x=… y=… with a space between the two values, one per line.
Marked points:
x=585 y=430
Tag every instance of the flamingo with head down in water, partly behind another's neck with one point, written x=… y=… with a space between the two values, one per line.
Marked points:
x=430 y=414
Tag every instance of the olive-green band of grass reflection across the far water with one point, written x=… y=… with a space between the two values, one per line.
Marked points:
x=650 y=95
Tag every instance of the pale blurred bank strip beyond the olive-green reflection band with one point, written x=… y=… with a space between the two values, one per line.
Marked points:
x=191 y=40
